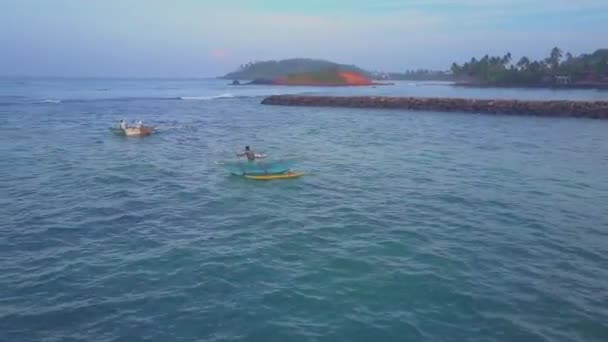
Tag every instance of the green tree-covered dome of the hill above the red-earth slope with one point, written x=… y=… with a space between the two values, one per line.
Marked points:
x=274 y=69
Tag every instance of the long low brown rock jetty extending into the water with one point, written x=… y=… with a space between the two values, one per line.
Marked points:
x=583 y=109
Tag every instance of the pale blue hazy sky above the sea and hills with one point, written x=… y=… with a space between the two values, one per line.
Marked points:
x=201 y=38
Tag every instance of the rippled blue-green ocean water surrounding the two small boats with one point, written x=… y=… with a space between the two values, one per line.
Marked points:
x=411 y=226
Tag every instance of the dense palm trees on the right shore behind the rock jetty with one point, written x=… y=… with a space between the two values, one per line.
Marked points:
x=558 y=69
